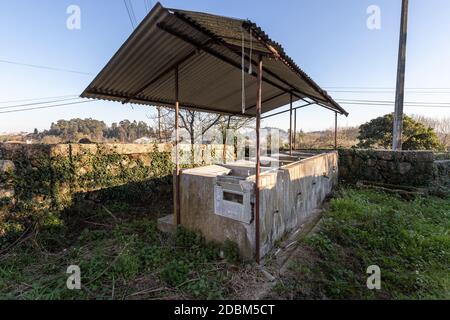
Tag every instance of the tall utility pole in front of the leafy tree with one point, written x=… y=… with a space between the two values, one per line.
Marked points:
x=400 y=92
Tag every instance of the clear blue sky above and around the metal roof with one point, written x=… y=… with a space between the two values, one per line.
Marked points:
x=327 y=38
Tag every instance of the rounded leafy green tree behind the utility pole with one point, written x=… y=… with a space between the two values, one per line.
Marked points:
x=377 y=133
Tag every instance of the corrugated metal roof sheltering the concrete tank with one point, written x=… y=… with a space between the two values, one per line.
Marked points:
x=207 y=50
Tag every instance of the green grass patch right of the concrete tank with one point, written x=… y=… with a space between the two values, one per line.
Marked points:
x=408 y=240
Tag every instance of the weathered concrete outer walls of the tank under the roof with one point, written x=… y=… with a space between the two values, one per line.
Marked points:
x=288 y=196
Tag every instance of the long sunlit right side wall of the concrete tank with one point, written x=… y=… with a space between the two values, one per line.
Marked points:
x=292 y=193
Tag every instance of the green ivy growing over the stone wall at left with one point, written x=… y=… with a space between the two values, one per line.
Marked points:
x=46 y=185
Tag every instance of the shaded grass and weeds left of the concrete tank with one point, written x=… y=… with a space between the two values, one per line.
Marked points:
x=122 y=258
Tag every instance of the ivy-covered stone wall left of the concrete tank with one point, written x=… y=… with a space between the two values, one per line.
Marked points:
x=35 y=178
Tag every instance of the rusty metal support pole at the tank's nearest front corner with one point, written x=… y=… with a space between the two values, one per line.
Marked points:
x=258 y=155
